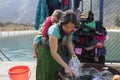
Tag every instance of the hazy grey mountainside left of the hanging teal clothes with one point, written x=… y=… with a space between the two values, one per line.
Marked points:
x=18 y=11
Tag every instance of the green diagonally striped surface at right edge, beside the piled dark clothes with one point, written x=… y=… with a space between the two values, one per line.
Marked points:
x=113 y=46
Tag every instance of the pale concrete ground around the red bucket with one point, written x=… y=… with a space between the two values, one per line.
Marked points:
x=5 y=66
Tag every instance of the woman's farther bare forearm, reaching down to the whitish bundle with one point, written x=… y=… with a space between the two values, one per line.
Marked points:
x=70 y=45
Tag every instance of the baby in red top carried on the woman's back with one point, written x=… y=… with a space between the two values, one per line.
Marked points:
x=53 y=19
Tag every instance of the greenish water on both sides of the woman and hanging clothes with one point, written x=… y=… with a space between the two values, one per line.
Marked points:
x=20 y=47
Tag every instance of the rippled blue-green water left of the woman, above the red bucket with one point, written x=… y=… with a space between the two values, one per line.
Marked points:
x=17 y=48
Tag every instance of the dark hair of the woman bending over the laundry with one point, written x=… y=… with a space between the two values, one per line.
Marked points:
x=68 y=16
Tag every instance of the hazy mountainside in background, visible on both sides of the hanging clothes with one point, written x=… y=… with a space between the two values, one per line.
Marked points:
x=23 y=11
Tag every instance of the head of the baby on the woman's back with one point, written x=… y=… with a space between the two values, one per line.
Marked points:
x=56 y=15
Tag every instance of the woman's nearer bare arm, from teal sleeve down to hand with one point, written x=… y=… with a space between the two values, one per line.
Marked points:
x=53 y=41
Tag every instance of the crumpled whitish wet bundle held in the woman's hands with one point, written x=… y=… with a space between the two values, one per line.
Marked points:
x=76 y=66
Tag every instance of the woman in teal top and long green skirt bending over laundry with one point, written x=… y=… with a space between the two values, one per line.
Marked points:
x=49 y=60
